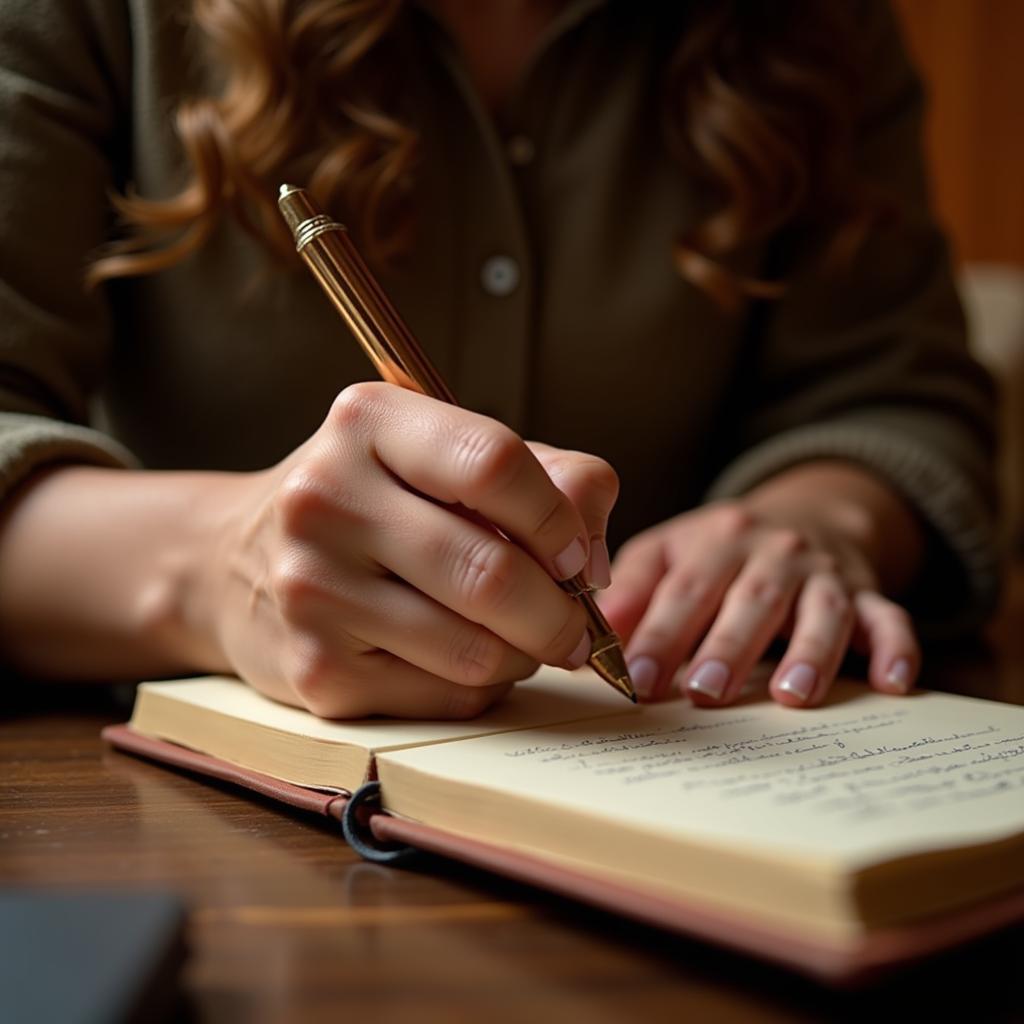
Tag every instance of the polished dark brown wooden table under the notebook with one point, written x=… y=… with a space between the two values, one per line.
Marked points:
x=288 y=925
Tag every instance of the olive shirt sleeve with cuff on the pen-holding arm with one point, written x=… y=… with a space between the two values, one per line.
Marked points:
x=63 y=88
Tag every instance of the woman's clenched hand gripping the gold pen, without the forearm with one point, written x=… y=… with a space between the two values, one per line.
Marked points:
x=351 y=580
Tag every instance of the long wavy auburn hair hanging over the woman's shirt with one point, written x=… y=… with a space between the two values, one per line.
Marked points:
x=759 y=103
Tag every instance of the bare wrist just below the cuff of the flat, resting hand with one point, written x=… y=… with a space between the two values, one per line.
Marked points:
x=840 y=496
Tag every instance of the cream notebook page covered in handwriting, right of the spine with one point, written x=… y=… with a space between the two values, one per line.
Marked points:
x=867 y=778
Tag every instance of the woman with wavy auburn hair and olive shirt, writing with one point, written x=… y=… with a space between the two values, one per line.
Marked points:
x=691 y=241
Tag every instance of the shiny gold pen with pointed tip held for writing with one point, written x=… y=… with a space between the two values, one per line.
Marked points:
x=335 y=263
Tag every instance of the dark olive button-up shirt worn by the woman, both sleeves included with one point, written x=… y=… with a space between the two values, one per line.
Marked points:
x=542 y=285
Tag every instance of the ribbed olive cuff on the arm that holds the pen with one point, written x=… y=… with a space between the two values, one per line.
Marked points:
x=29 y=443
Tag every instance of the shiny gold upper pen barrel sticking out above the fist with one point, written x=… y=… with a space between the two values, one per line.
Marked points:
x=340 y=271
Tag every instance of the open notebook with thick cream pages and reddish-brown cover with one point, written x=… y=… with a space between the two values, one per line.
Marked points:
x=838 y=841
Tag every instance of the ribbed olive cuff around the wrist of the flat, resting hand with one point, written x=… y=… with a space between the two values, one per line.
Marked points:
x=941 y=492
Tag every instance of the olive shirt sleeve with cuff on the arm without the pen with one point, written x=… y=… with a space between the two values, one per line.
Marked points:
x=871 y=364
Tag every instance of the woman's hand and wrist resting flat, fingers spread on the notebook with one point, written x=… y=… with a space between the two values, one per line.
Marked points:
x=804 y=557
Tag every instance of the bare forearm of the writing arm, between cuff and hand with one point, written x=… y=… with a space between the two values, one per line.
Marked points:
x=101 y=571
